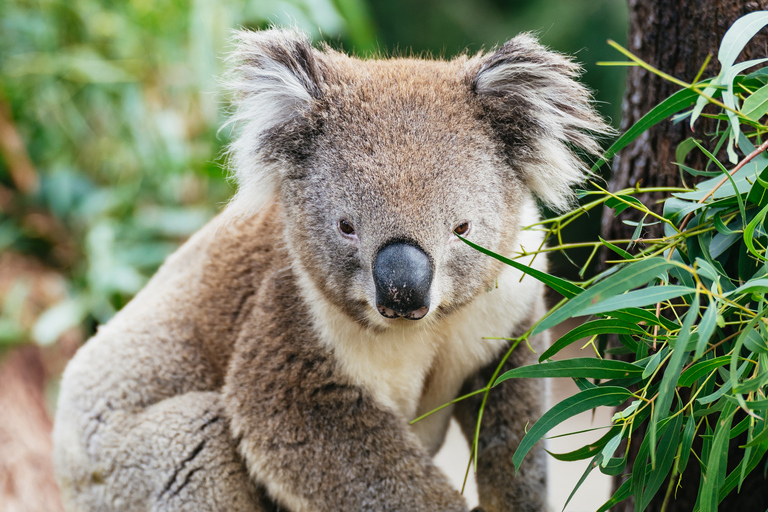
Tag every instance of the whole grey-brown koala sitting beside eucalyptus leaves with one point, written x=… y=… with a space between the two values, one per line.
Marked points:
x=277 y=359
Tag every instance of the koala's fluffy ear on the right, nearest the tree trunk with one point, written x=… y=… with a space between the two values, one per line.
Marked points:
x=540 y=113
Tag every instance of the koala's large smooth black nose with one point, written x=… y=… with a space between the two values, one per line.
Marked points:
x=402 y=274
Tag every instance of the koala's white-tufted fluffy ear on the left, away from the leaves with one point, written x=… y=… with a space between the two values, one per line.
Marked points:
x=275 y=78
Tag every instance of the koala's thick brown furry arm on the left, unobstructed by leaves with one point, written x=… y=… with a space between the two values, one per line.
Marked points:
x=316 y=442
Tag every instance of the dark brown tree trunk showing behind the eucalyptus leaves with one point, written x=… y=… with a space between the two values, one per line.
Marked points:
x=675 y=36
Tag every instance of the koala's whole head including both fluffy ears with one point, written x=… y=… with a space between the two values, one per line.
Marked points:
x=379 y=164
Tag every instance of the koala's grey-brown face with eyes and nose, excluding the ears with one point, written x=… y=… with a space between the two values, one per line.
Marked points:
x=400 y=165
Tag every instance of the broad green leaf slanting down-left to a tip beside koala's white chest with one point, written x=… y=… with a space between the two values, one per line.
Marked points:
x=631 y=276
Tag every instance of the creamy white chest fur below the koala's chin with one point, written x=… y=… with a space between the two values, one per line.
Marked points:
x=413 y=369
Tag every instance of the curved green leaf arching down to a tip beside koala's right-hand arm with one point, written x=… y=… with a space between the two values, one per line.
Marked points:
x=609 y=396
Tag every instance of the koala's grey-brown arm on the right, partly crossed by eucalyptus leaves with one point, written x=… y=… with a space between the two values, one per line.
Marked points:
x=512 y=407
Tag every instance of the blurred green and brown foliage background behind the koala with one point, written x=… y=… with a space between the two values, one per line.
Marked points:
x=110 y=153
